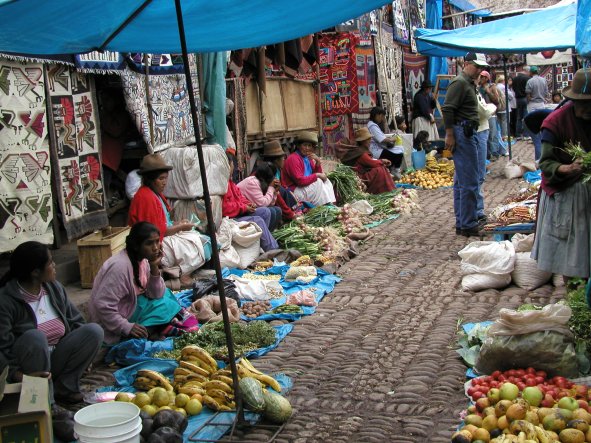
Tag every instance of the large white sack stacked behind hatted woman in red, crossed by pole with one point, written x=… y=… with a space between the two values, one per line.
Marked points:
x=184 y=181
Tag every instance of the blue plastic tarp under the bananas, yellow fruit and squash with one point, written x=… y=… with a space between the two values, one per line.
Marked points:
x=125 y=377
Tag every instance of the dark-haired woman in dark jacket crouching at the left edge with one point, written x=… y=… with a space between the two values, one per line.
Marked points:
x=42 y=334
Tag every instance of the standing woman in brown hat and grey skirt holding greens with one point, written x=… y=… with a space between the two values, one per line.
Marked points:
x=562 y=244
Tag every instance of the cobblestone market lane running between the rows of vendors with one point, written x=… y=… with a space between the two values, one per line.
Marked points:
x=376 y=361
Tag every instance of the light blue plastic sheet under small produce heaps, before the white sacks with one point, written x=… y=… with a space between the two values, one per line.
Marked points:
x=323 y=284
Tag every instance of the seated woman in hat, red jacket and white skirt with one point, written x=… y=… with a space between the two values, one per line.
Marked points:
x=302 y=173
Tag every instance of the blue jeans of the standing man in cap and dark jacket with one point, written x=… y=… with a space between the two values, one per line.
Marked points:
x=465 y=179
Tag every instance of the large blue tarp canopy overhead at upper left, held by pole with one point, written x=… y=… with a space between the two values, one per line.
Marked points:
x=76 y=27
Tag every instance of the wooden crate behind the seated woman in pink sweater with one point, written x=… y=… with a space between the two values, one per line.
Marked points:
x=96 y=248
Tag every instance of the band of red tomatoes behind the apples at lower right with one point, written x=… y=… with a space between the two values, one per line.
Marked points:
x=553 y=389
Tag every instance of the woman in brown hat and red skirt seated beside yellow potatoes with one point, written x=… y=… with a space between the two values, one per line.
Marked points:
x=373 y=173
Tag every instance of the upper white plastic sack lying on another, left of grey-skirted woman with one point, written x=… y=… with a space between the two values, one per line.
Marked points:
x=487 y=257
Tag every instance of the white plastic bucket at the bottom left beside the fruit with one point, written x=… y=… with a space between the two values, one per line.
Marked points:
x=110 y=422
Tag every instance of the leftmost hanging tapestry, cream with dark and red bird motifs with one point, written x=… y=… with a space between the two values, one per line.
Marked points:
x=25 y=193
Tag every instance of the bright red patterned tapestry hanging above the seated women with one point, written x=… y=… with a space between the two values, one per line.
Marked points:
x=338 y=74
